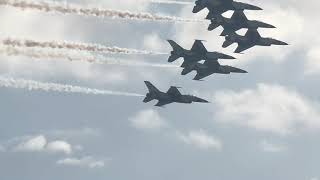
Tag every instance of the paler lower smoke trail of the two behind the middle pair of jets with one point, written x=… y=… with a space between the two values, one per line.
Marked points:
x=74 y=56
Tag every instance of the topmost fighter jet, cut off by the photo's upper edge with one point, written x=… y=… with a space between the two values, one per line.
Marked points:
x=221 y=6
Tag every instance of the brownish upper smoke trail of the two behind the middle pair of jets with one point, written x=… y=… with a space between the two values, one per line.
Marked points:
x=73 y=46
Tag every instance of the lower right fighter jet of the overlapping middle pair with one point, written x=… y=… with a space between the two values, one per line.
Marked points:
x=210 y=67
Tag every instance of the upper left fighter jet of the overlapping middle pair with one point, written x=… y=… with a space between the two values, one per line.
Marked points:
x=197 y=53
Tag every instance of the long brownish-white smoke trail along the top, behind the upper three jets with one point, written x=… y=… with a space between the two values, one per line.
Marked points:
x=97 y=12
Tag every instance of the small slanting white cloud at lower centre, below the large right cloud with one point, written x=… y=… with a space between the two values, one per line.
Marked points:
x=201 y=140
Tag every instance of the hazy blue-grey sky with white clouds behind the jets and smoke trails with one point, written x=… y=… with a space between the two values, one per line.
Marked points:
x=262 y=125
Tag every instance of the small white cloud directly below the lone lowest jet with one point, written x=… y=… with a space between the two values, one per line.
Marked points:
x=148 y=119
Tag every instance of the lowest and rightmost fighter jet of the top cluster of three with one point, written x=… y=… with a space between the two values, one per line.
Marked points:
x=250 y=39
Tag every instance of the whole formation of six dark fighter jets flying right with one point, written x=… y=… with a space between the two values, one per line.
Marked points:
x=198 y=52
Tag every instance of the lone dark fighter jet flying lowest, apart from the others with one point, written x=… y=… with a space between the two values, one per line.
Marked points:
x=171 y=96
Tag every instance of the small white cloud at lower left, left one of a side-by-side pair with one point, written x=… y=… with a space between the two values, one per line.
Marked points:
x=35 y=144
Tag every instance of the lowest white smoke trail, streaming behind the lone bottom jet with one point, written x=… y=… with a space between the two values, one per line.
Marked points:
x=53 y=87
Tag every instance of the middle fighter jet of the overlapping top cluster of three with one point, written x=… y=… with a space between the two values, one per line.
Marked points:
x=237 y=21
